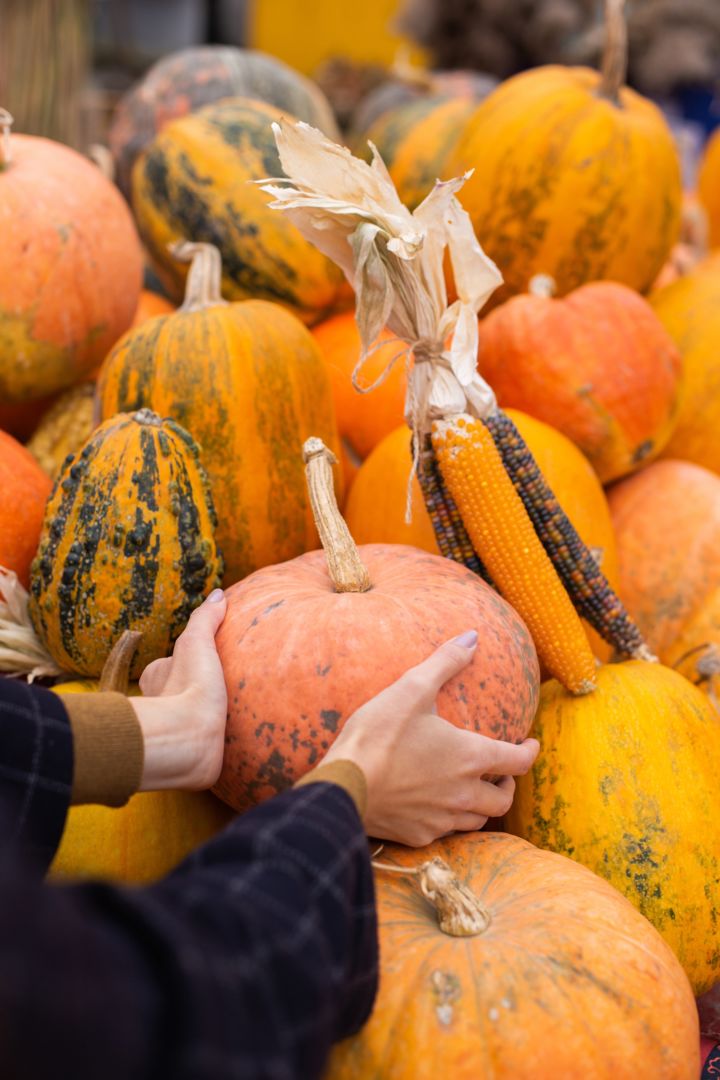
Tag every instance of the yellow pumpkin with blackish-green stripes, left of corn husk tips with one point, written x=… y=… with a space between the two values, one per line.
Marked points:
x=193 y=183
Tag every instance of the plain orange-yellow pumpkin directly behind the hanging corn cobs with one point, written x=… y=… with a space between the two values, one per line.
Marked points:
x=375 y=510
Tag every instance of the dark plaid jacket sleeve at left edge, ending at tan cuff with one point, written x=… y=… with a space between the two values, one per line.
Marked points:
x=36 y=769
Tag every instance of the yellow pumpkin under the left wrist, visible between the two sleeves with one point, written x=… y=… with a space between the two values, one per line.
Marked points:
x=145 y=840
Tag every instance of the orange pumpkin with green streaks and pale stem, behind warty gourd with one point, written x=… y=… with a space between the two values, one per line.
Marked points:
x=249 y=382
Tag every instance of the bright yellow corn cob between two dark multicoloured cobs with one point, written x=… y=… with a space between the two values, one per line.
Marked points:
x=506 y=542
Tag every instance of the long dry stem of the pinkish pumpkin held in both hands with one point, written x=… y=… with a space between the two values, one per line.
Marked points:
x=348 y=573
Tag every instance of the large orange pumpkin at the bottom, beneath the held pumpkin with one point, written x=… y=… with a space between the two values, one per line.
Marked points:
x=567 y=983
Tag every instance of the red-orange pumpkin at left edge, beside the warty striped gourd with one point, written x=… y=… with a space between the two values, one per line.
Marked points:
x=24 y=489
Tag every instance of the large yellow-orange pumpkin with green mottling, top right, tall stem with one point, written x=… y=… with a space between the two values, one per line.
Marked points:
x=569 y=184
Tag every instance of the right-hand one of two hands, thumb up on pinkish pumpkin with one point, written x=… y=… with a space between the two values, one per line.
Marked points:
x=425 y=776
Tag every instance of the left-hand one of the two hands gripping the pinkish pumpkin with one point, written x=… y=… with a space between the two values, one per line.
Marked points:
x=184 y=707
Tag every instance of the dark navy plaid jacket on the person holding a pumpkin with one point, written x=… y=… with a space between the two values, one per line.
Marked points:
x=248 y=962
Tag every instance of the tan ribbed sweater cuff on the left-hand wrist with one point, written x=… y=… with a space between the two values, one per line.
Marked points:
x=108 y=750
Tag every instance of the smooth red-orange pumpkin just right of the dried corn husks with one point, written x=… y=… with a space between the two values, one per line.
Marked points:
x=597 y=366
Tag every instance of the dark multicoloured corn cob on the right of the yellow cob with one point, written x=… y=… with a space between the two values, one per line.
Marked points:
x=576 y=565
